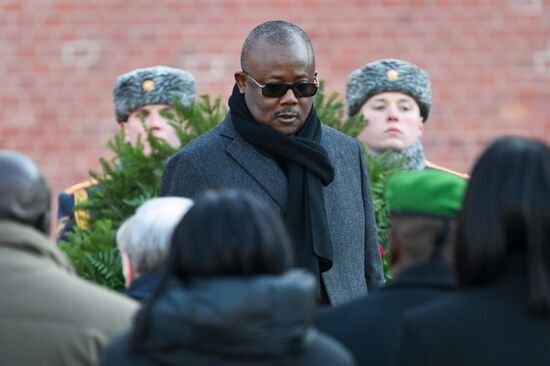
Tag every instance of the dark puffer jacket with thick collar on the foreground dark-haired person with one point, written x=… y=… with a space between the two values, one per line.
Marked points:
x=263 y=320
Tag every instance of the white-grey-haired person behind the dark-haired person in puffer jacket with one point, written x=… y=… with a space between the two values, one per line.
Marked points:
x=144 y=239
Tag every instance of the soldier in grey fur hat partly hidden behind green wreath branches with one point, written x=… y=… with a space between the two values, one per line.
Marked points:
x=140 y=97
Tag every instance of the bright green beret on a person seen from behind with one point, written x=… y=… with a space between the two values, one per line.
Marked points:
x=428 y=192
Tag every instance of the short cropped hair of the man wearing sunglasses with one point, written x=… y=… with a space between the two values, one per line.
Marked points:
x=274 y=32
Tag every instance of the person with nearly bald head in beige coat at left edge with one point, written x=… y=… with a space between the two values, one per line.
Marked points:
x=49 y=315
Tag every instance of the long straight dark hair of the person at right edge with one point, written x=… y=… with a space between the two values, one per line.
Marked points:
x=507 y=209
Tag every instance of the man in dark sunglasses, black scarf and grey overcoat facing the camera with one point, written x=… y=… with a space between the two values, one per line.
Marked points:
x=272 y=144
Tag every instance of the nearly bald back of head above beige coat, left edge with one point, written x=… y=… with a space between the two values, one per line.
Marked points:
x=24 y=193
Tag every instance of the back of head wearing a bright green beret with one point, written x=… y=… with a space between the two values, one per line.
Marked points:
x=423 y=206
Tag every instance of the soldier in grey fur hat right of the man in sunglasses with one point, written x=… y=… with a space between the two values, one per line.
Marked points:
x=395 y=96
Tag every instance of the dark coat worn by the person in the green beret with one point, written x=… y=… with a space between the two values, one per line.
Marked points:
x=369 y=326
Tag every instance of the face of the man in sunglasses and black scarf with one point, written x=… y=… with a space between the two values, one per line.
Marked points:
x=269 y=63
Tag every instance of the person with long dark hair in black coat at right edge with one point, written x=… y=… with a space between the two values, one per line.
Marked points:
x=501 y=316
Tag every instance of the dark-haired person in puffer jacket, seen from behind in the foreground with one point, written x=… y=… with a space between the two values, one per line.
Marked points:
x=228 y=295
